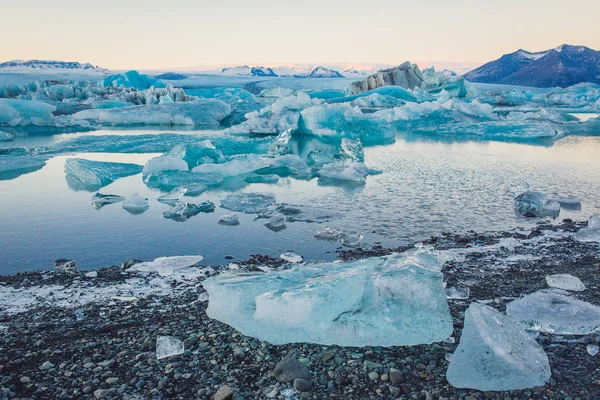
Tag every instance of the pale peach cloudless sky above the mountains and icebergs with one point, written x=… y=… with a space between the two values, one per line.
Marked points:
x=151 y=34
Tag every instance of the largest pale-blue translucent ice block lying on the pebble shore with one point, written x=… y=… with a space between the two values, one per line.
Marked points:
x=380 y=301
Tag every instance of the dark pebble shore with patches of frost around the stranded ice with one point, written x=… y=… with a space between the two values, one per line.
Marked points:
x=82 y=335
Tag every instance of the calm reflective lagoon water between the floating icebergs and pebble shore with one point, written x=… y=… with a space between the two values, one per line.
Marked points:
x=428 y=186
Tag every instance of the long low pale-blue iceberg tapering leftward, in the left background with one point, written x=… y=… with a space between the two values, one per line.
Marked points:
x=204 y=112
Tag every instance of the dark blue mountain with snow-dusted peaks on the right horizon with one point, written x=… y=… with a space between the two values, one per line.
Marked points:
x=563 y=66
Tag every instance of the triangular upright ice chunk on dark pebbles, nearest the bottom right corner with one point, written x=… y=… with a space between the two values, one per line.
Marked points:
x=496 y=354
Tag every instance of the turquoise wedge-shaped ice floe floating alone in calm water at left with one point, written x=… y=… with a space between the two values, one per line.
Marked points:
x=92 y=175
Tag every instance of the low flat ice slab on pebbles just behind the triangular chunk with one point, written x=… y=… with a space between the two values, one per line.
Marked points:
x=553 y=312
